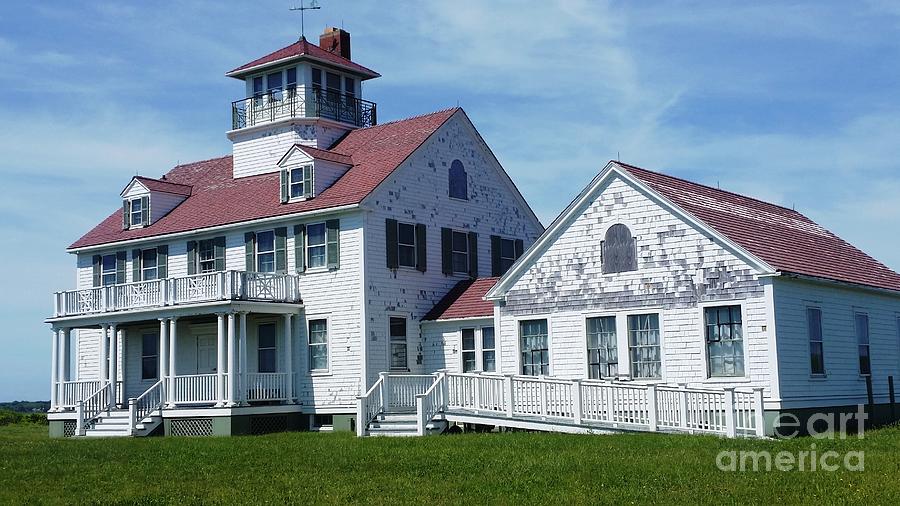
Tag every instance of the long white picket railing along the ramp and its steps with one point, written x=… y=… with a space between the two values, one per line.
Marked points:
x=585 y=403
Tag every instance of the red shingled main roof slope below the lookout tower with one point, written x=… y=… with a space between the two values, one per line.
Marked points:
x=219 y=199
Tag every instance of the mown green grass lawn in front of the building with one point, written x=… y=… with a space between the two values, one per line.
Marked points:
x=510 y=468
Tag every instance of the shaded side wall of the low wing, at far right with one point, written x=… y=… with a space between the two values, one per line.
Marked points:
x=842 y=383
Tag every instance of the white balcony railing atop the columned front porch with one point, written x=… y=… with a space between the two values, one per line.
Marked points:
x=225 y=285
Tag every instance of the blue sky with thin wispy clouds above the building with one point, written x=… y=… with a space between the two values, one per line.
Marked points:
x=796 y=103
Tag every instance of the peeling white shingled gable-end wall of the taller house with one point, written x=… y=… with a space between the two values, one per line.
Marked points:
x=418 y=193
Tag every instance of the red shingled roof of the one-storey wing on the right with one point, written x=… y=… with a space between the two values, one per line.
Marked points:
x=785 y=239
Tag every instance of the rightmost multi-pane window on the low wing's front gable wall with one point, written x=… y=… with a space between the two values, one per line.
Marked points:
x=724 y=341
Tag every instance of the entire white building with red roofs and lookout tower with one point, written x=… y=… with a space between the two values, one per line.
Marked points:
x=336 y=273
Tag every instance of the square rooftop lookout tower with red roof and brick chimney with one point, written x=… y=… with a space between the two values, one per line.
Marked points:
x=304 y=94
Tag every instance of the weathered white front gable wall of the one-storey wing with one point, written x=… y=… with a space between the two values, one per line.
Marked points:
x=680 y=268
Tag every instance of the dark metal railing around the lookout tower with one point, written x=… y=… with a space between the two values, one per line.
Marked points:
x=302 y=102
